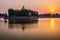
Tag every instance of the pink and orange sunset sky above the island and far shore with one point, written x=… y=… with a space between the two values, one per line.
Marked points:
x=42 y=6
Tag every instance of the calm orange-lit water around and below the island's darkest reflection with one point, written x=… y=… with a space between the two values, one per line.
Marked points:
x=45 y=28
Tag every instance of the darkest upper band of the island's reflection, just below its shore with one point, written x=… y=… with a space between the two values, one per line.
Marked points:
x=23 y=21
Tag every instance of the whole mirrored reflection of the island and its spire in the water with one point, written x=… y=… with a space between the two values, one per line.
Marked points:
x=21 y=24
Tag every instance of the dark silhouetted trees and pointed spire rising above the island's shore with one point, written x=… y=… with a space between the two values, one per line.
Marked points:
x=22 y=12
